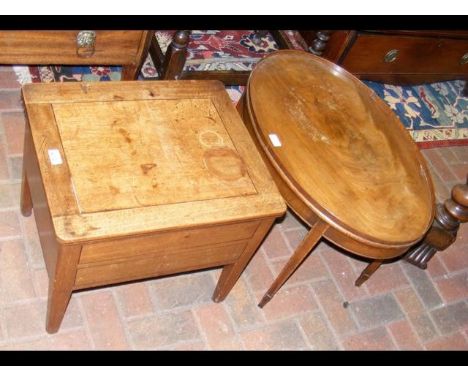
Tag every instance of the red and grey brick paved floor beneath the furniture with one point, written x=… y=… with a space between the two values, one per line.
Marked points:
x=401 y=307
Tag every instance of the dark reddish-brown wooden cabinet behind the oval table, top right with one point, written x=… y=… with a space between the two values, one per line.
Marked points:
x=395 y=56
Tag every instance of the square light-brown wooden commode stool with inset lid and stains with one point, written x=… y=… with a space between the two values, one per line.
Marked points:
x=141 y=179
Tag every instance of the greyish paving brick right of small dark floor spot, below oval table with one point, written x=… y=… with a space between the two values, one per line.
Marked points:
x=376 y=311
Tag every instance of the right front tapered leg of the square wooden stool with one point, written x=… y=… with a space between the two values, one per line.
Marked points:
x=232 y=272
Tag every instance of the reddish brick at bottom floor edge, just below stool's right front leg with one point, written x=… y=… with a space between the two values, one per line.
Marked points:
x=217 y=327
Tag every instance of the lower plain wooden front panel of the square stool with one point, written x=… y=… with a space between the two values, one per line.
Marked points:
x=157 y=264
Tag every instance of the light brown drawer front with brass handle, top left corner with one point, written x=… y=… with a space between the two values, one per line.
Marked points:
x=61 y=47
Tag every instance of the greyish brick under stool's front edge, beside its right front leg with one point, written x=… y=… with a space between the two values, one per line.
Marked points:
x=182 y=290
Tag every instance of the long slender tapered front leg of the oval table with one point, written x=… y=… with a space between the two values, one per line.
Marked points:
x=295 y=260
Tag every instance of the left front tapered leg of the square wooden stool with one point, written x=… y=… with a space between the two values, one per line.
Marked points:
x=61 y=285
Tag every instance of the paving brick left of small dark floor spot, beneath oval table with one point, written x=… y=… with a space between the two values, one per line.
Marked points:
x=332 y=304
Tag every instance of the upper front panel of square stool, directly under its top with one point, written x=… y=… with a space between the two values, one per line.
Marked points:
x=166 y=242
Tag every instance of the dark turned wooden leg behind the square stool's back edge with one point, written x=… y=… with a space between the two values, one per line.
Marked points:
x=175 y=57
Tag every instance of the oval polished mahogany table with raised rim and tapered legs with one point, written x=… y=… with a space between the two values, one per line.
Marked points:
x=340 y=157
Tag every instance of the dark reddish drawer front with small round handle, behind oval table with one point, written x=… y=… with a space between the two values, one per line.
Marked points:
x=400 y=54
